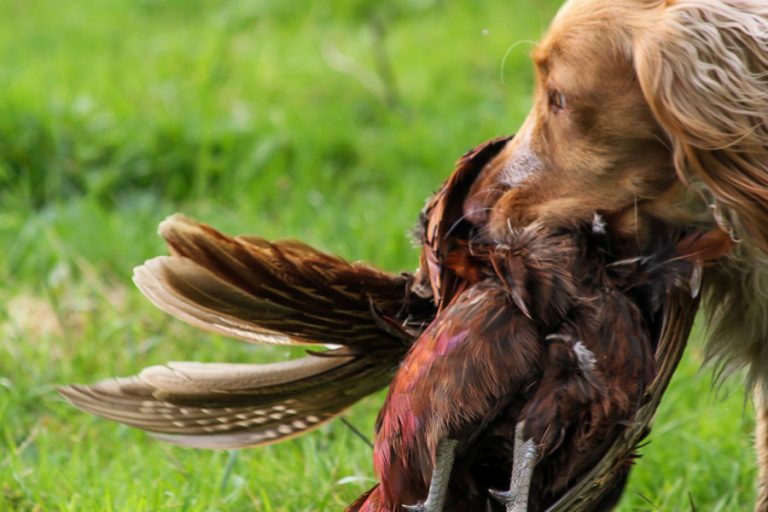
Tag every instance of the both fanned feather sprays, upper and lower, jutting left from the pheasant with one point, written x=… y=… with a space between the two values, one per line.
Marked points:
x=259 y=291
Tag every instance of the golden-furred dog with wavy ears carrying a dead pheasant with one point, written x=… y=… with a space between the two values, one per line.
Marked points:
x=655 y=110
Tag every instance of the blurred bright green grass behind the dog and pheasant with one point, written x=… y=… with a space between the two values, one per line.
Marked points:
x=325 y=121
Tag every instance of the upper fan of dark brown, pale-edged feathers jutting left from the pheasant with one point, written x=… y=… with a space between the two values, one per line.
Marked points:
x=278 y=292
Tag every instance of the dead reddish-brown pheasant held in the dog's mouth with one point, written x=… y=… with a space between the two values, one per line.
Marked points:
x=530 y=316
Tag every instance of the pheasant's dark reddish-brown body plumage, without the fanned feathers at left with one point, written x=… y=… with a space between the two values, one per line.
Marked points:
x=550 y=330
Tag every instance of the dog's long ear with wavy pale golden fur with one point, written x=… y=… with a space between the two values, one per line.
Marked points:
x=703 y=68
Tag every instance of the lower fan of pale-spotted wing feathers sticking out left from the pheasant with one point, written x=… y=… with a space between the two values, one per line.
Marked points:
x=217 y=405
